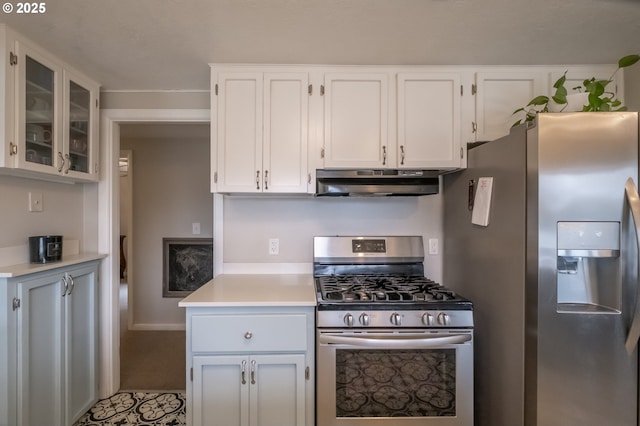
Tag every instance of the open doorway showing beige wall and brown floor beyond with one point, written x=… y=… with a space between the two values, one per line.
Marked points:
x=169 y=191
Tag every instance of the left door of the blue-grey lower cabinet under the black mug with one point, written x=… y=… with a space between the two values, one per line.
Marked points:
x=40 y=352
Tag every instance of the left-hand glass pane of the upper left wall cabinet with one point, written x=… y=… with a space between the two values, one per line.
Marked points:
x=39 y=100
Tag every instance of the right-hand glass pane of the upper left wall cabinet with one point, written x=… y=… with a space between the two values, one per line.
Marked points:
x=78 y=158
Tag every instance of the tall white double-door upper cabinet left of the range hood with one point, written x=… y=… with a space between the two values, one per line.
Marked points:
x=261 y=132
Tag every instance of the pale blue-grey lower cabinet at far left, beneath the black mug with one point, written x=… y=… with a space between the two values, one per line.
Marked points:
x=50 y=348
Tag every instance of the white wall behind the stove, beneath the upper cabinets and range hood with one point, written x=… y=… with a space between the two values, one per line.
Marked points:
x=249 y=223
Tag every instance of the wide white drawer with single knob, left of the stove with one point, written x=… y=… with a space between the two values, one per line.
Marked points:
x=237 y=333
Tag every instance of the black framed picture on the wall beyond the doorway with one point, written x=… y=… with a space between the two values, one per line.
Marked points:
x=188 y=264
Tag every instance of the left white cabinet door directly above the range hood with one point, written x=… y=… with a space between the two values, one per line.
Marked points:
x=356 y=115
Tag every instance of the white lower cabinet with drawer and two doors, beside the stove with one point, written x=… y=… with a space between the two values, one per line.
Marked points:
x=250 y=366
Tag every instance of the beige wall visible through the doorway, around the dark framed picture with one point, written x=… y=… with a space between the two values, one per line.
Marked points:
x=170 y=192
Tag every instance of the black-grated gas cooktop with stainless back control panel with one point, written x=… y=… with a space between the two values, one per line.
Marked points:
x=377 y=273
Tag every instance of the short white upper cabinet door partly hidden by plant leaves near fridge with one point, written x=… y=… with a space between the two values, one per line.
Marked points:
x=500 y=93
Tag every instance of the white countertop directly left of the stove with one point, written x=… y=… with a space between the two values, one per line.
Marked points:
x=254 y=290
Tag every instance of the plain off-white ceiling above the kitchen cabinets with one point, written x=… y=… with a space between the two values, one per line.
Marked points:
x=168 y=44
